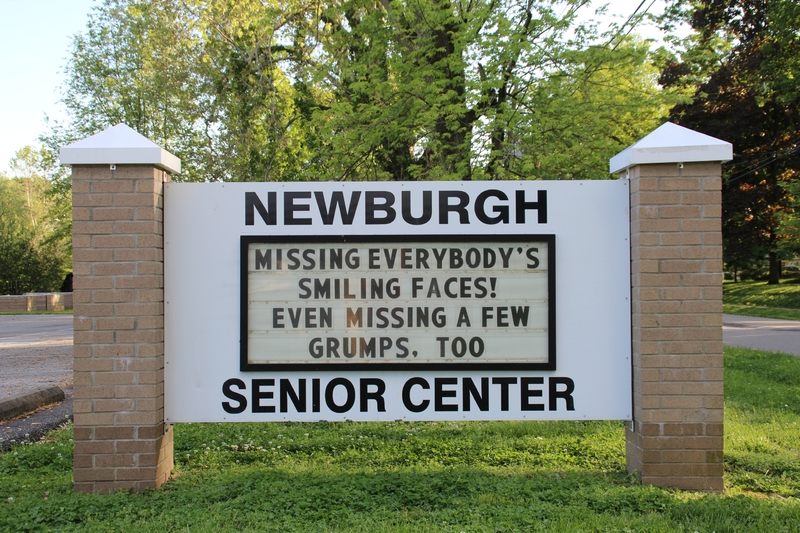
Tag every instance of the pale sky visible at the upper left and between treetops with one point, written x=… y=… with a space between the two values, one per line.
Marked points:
x=34 y=44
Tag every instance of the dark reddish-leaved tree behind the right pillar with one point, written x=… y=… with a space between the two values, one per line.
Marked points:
x=746 y=96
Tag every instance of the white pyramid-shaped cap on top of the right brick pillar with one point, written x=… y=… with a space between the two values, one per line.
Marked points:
x=671 y=143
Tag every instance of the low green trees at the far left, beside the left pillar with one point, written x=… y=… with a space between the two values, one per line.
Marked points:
x=34 y=244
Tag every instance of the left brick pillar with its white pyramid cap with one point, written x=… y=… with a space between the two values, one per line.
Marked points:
x=121 y=441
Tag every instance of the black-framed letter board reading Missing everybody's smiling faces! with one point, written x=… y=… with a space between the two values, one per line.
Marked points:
x=424 y=304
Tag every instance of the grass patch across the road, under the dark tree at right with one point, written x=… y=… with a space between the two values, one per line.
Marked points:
x=756 y=298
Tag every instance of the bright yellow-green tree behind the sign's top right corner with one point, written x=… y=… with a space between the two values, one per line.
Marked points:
x=602 y=102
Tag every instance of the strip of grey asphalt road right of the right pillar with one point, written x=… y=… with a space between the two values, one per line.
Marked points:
x=761 y=333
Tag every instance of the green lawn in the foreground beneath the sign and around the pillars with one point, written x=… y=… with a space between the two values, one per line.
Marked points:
x=449 y=477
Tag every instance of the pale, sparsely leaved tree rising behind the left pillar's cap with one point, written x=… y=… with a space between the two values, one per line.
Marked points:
x=140 y=63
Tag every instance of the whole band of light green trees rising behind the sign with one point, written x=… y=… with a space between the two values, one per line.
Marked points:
x=361 y=89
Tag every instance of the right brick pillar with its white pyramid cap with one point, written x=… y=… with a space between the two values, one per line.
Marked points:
x=676 y=436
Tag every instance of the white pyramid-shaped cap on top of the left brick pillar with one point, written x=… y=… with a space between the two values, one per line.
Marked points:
x=119 y=145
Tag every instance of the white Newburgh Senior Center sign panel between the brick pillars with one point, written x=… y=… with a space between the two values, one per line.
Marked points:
x=386 y=301
